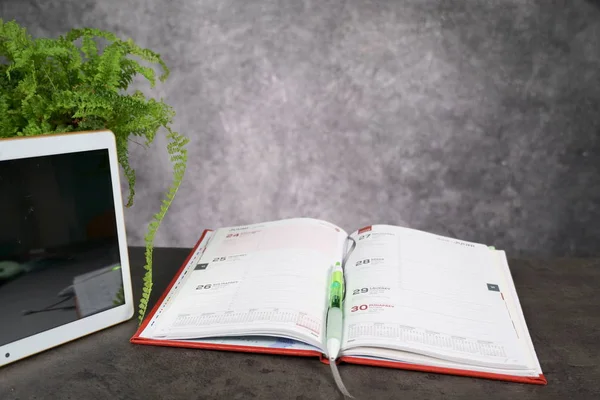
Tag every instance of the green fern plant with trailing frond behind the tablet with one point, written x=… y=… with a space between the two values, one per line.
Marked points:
x=67 y=84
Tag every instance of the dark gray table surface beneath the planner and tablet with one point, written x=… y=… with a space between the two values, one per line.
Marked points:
x=559 y=298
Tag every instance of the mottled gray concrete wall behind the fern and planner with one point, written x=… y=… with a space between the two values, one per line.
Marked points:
x=476 y=119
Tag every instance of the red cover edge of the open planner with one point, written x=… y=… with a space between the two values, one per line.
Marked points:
x=137 y=339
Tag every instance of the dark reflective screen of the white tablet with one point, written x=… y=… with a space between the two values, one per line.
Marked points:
x=59 y=251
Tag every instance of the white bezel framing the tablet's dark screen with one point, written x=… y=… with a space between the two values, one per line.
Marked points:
x=24 y=147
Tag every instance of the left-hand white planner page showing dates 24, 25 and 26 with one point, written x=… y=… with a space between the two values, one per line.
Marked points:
x=261 y=279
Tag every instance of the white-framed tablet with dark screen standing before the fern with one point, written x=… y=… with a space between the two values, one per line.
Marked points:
x=64 y=266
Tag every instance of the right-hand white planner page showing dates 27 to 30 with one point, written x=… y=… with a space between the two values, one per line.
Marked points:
x=414 y=291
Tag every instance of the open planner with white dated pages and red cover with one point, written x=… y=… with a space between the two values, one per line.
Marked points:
x=413 y=300
